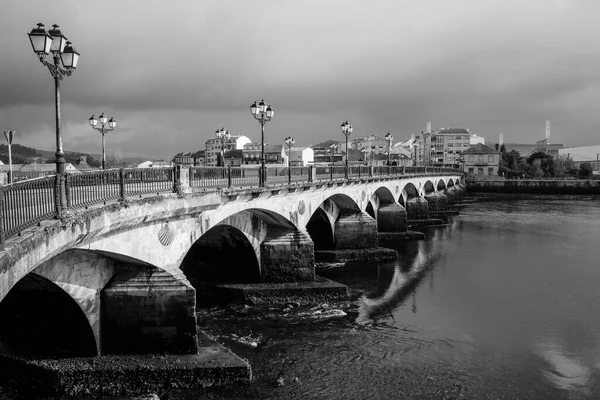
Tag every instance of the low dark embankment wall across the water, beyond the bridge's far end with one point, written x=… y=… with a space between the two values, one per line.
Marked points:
x=528 y=186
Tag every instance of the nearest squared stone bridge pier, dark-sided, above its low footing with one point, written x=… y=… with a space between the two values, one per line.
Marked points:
x=147 y=310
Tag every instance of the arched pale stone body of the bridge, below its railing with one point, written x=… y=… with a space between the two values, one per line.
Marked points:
x=121 y=277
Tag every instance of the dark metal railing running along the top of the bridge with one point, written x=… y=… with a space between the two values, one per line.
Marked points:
x=26 y=203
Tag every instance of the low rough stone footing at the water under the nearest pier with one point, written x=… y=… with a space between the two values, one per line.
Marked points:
x=125 y=375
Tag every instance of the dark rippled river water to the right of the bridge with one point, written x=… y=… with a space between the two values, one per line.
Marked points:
x=501 y=303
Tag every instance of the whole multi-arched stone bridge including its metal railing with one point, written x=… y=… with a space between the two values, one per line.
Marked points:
x=130 y=245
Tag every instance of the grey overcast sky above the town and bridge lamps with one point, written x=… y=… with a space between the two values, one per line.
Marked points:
x=172 y=72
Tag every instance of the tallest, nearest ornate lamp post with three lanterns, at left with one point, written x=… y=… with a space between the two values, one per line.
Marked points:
x=55 y=42
